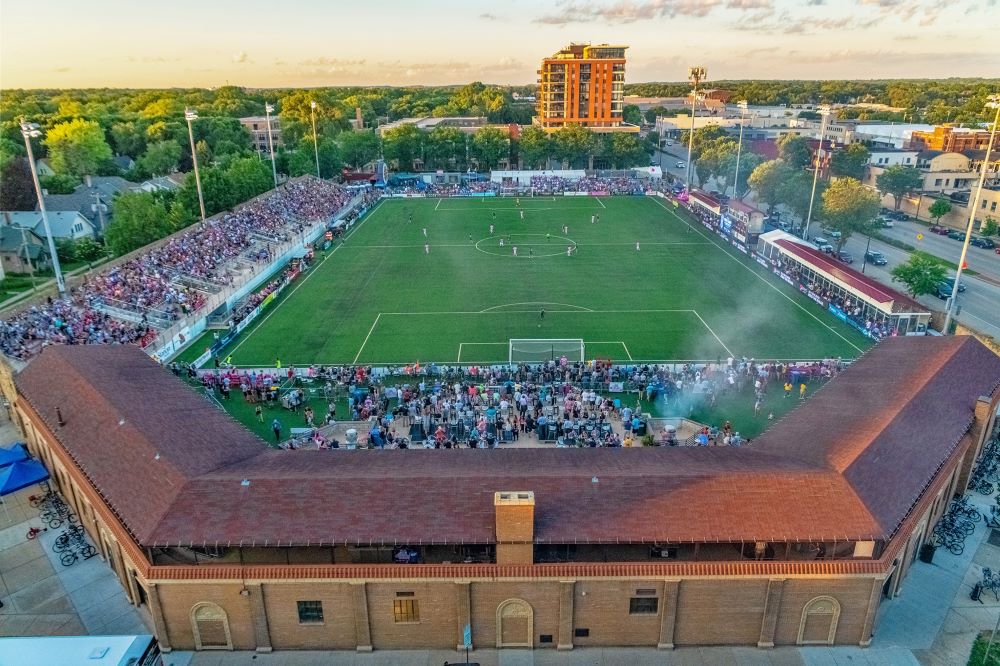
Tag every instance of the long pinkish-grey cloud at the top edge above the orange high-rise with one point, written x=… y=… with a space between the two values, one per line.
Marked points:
x=630 y=11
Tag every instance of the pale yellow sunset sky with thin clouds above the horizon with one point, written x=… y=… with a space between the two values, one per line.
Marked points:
x=301 y=43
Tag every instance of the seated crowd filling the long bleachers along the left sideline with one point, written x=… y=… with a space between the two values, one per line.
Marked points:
x=157 y=284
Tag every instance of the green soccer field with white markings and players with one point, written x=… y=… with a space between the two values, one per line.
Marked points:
x=382 y=297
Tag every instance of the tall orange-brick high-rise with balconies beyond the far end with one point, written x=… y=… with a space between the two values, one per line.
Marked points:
x=583 y=85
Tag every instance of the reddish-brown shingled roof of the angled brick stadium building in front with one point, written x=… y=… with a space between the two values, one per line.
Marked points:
x=848 y=464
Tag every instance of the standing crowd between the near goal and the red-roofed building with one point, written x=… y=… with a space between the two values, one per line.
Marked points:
x=566 y=403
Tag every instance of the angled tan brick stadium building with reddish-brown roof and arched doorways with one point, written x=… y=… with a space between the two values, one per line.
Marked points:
x=233 y=545
